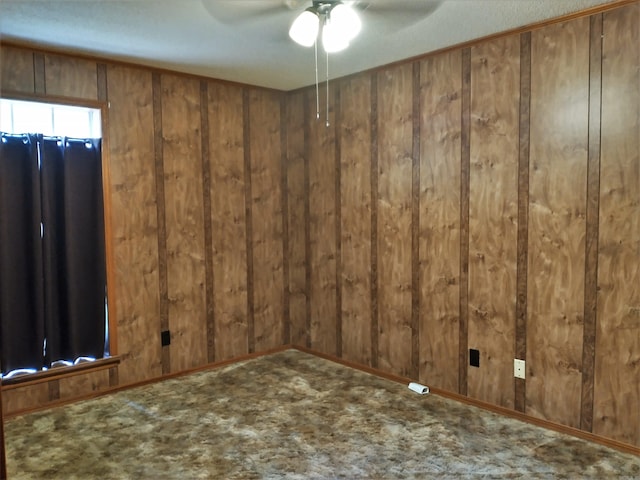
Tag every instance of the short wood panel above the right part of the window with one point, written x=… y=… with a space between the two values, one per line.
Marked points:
x=70 y=77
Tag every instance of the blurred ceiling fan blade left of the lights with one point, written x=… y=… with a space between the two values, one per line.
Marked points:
x=234 y=12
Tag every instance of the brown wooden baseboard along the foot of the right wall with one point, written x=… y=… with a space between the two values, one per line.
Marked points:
x=557 y=427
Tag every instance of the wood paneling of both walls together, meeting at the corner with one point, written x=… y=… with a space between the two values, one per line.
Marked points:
x=485 y=197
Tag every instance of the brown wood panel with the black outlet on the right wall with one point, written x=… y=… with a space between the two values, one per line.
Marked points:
x=493 y=217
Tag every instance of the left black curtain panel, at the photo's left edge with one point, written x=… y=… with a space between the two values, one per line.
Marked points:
x=21 y=281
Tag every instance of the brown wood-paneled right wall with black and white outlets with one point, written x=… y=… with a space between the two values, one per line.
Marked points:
x=473 y=191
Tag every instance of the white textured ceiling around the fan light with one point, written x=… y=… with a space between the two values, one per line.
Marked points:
x=246 y=40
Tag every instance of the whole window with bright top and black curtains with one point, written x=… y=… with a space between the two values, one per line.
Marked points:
x=53 y=307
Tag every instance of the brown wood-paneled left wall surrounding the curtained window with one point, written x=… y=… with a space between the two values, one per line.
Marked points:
x=197 y=212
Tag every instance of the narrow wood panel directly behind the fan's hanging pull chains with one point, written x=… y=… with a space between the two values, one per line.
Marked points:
x=322 y=223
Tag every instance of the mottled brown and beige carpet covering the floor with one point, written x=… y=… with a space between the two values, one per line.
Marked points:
x=292 y=415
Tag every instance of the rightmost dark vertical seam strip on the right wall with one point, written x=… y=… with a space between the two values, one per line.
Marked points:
x=592 y=223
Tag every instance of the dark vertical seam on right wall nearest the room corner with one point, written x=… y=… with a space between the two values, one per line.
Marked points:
x=307 y=219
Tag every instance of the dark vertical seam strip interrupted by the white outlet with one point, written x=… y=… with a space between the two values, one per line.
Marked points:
x=523 y=216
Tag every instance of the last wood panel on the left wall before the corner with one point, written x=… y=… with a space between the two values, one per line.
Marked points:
x=266 y=214
